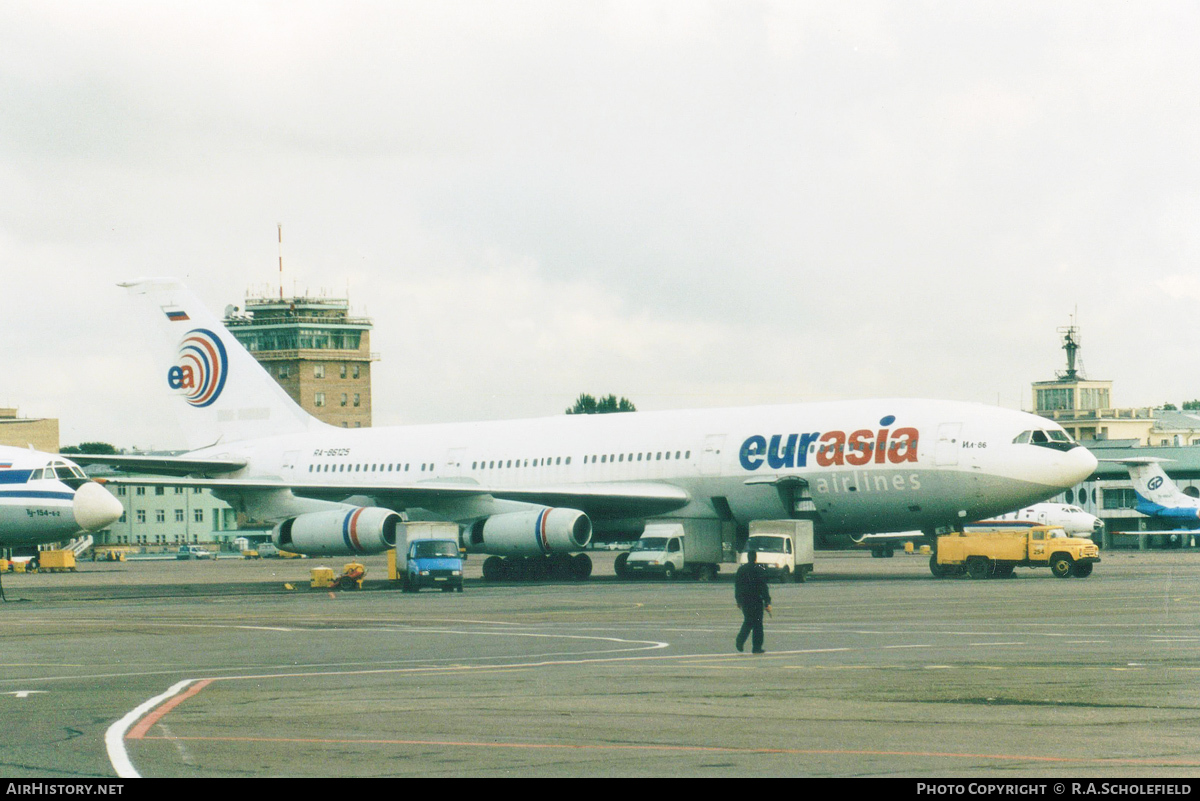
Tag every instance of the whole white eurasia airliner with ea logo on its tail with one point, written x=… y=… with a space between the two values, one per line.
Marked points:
x=544 y=487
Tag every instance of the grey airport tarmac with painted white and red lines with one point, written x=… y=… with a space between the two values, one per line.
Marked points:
x=874 y=668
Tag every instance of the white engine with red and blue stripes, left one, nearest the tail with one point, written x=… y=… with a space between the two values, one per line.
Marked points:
x=341 y=533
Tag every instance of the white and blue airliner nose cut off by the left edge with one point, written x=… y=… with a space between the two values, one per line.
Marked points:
x=46 y=498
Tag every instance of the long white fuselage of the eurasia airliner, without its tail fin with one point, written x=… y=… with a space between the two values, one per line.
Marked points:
x=866 y=466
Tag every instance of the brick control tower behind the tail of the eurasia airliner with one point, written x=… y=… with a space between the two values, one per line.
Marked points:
x=315 y=350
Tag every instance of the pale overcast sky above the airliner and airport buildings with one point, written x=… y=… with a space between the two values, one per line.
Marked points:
x=689 y=204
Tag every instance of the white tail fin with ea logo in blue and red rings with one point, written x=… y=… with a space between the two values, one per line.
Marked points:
x=221 y=394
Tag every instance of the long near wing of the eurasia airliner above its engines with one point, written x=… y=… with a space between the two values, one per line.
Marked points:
x=601 y=501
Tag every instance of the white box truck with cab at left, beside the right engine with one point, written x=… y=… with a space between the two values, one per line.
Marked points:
x=676 y=549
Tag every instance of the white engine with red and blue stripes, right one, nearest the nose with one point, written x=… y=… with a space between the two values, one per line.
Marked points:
x=532 y=534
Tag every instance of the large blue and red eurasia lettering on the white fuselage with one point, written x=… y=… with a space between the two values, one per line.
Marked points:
x=833 y=449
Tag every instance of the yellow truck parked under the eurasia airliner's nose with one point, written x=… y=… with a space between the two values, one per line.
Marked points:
x=983 y=555
